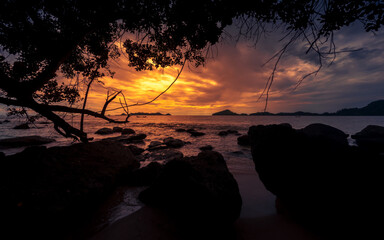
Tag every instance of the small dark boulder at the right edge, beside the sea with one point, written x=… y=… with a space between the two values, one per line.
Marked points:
x=371 y=137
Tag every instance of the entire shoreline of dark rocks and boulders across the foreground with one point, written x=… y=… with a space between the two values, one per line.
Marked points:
x=319 y=180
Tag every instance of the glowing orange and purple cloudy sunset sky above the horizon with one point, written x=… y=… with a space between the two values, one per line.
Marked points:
x=235 y=77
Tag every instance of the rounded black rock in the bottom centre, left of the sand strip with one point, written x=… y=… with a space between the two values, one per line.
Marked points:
x=199 y=192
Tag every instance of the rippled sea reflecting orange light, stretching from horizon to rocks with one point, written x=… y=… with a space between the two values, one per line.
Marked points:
x=159 y=127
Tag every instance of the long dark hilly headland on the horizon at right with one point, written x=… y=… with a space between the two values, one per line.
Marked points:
x=375 y=108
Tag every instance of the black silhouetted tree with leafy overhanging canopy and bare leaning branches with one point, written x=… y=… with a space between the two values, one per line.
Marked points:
x=41 y=40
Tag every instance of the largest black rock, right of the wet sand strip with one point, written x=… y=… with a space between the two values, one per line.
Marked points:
x=319 y=181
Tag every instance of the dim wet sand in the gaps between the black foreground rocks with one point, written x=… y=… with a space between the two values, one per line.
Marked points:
x=258 y=219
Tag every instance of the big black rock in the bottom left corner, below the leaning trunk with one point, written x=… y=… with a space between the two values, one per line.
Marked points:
x=48 y=192
